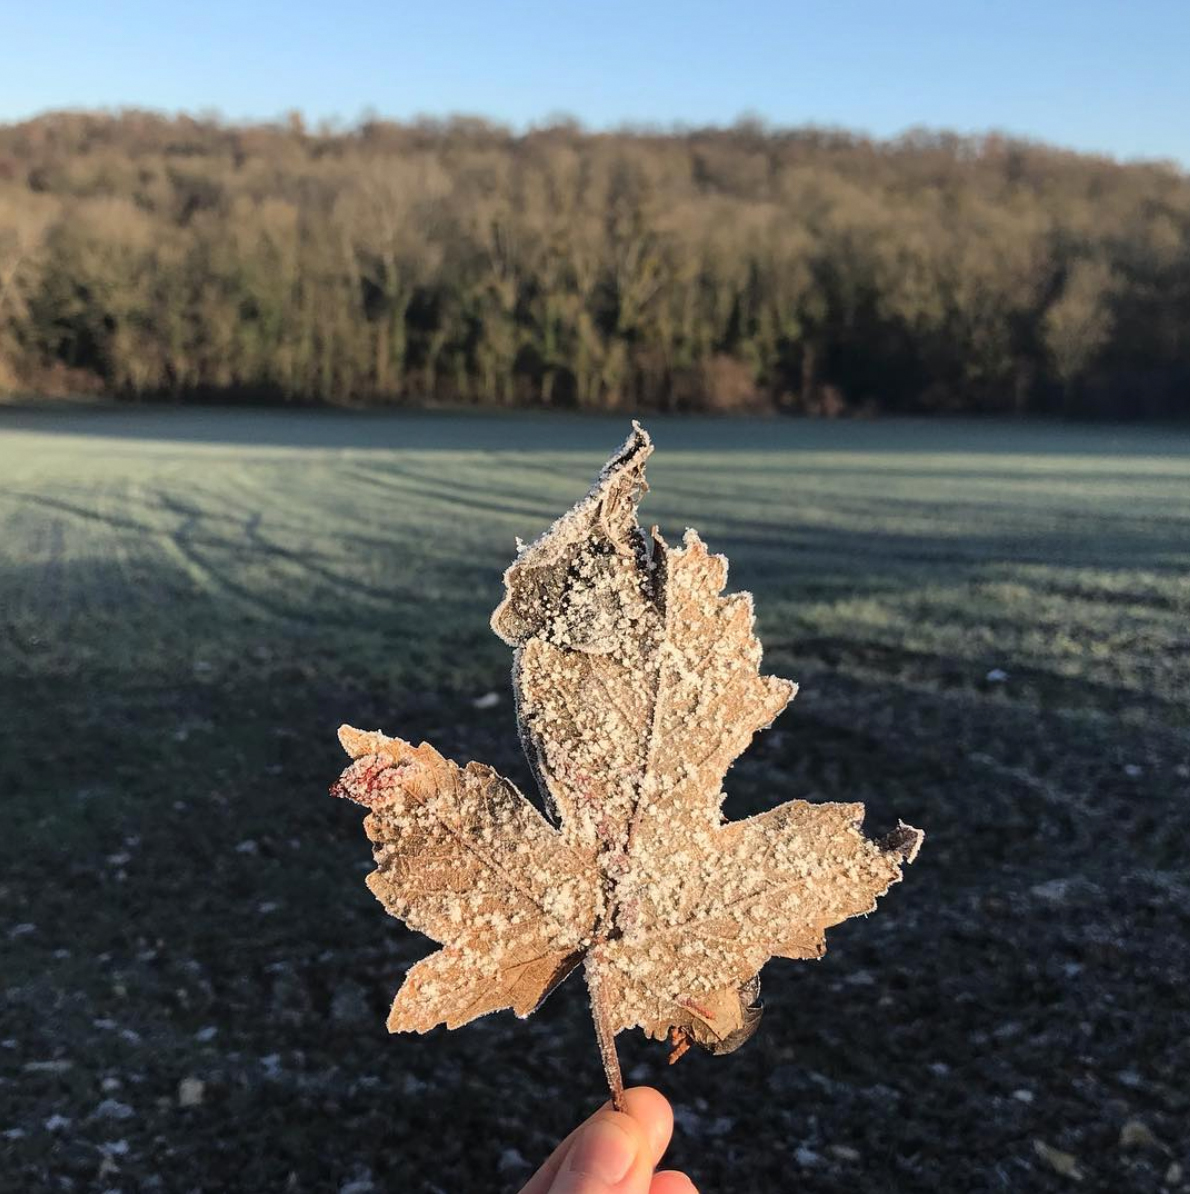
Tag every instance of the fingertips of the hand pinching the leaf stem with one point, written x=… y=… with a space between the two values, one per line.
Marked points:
x=615 y=1153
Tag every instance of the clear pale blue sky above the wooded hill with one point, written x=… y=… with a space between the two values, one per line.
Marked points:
x=1105 y=77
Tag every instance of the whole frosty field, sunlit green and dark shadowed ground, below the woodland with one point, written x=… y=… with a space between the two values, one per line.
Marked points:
x=192 y=602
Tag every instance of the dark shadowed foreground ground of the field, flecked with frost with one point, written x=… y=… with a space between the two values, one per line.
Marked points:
x=199 y=910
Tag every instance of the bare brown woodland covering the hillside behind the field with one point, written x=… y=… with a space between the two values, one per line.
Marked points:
x=711 y=269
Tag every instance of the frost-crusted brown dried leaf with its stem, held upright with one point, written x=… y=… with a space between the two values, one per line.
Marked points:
x=638 y=684
